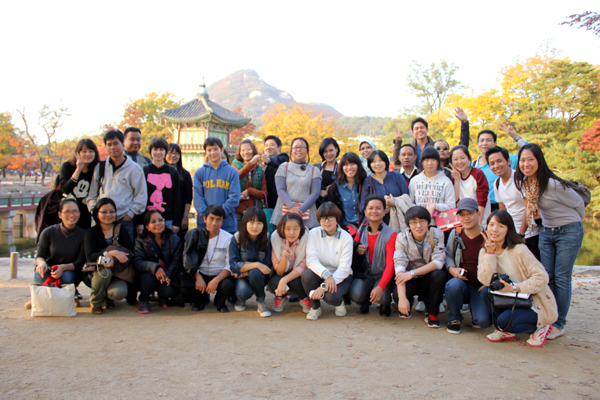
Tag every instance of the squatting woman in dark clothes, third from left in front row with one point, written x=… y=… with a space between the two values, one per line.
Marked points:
x=158 y=258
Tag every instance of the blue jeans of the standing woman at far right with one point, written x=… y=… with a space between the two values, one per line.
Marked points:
x=559 y=248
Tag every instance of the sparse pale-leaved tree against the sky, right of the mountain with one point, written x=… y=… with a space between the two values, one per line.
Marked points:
x=433 y=84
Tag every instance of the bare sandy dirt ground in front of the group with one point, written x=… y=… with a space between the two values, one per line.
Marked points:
x=176 y=353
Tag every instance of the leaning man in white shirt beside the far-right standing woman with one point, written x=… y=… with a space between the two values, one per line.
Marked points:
x=510 y=198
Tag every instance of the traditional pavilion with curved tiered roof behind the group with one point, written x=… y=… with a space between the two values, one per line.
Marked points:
x=196 y=120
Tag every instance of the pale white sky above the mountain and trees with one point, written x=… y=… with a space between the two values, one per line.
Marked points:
x=354 y=56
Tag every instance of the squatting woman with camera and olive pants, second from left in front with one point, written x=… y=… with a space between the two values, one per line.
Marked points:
x=106 y=287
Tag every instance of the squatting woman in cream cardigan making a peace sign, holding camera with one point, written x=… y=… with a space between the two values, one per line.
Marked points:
x=505 y=254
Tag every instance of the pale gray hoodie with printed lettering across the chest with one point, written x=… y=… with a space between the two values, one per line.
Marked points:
x=437 y=190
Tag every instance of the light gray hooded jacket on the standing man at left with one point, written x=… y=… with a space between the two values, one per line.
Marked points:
x=126 y=186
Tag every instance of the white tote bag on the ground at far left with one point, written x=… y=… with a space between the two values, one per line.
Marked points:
x=47 y=301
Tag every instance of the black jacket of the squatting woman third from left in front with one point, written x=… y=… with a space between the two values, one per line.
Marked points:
x=146 y=257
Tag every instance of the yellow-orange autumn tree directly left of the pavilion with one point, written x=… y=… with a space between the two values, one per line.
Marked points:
x=143 y=113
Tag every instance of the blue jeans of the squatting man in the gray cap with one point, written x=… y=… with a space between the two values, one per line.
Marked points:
x=459 y=292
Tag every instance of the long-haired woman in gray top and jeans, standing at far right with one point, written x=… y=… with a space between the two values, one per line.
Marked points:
x=551 y=201
